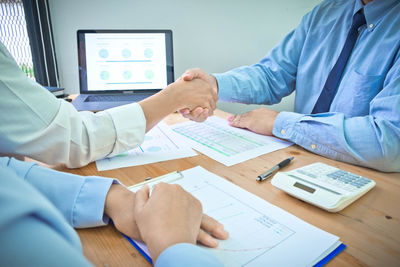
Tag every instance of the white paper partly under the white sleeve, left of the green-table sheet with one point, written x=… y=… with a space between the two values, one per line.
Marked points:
x=159 y=144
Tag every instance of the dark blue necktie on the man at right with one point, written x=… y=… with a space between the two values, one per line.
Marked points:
x=328 y=92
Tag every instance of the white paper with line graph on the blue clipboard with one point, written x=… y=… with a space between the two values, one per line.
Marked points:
x=260 y=234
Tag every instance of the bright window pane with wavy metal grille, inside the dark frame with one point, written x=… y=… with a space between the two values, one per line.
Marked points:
x=14 y=35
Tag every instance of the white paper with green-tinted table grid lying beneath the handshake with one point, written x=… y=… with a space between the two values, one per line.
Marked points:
x=226 y=144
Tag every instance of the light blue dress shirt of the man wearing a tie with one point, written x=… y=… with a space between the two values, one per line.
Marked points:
x=363 y=124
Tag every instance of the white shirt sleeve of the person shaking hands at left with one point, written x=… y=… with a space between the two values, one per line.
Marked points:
x=36 y=124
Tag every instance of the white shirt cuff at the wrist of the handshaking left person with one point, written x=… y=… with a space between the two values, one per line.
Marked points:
x=130 y=127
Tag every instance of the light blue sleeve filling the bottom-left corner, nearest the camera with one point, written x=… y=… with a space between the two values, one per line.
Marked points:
x=32 y=231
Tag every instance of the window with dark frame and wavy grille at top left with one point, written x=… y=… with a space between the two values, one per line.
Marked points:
x=26 y=32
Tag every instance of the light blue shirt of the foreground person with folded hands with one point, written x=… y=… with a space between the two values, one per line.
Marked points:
x=38 y=207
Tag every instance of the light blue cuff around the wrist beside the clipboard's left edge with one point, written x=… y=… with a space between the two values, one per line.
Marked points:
x=88 y=210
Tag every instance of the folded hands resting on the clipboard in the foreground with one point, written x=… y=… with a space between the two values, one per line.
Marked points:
x=171 y=215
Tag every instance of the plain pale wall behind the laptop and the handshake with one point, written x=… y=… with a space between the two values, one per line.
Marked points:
x=213 y=35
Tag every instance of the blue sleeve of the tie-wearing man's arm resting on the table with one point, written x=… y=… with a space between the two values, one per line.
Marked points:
x=372 y=141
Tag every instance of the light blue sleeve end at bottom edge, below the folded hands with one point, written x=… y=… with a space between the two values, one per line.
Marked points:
x=187 y=255
